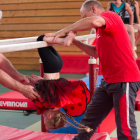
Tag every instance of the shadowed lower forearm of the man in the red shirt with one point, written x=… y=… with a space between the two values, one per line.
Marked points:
x=88 y=49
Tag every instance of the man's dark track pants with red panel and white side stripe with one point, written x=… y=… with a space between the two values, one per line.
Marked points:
x=121 y=96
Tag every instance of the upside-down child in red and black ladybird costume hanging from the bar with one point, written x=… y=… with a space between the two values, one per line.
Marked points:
x=58 y=92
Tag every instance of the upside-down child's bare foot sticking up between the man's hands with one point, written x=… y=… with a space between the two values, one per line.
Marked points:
x=68 y=40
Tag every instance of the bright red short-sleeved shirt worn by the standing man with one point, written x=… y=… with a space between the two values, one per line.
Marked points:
x=115 y=51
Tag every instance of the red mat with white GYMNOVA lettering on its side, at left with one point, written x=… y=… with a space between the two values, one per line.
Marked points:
x=15 y=100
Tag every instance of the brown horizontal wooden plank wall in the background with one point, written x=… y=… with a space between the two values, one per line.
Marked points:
x=27 y=18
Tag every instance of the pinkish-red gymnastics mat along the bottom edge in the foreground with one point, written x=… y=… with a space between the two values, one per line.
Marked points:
x=8 y=133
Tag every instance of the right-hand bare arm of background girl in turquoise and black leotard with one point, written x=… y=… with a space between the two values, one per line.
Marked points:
x=128 y=9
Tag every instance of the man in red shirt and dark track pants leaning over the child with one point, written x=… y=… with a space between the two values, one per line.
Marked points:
x=121 y=75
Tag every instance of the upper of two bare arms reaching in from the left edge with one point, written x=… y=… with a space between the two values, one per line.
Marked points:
x=7 y=67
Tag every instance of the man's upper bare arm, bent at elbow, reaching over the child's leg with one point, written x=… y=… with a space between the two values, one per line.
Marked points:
x=81 y=25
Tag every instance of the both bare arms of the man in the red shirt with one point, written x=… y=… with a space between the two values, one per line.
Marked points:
x=81 y=25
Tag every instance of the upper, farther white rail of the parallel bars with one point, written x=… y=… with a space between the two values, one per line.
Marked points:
x=33 y=39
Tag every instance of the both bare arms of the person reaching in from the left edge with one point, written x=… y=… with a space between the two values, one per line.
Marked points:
x=7 y=71
